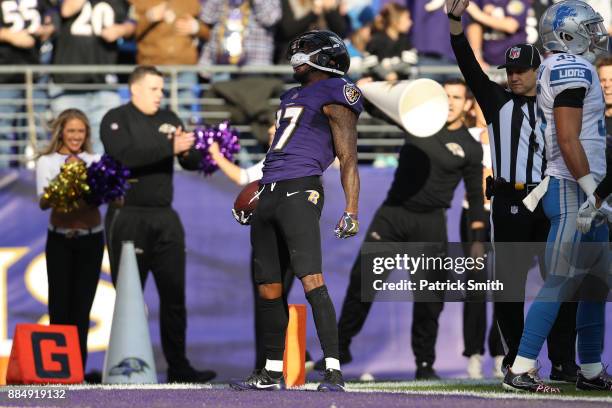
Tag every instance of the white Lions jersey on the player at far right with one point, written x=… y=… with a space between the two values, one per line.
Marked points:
x=556 y=74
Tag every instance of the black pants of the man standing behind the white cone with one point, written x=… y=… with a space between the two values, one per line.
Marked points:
x=159 y=240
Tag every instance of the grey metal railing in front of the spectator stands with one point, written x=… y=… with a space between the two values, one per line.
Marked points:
x=30 y=126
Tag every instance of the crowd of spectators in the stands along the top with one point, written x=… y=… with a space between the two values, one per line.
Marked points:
x=384 y=41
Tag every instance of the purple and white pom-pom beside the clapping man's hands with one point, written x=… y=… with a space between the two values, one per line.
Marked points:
x=225 y=136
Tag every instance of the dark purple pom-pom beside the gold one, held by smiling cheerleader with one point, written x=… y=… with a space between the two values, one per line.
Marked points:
x=107 y=180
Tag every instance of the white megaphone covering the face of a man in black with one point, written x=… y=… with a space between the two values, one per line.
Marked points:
x=420 y=106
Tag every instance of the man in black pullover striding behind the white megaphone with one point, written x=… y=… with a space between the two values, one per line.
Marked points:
x=428 y=172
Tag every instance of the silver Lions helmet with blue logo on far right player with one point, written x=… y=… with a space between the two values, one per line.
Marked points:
x=572 y=26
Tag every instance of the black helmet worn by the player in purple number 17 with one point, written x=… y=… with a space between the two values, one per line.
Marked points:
x=322 y=50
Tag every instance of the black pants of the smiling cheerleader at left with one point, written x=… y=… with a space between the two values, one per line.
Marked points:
x=73 y=271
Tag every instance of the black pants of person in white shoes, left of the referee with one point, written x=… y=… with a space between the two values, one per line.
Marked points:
x=475 y=310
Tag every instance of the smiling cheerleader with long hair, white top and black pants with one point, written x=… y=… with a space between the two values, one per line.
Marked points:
x=75 y=240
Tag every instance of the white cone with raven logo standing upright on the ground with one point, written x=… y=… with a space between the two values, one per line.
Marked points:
x=129 y=358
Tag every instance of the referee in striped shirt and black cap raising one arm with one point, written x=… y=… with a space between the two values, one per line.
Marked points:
x=518 y=157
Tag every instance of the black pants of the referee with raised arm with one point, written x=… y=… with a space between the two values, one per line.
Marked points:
x=512 y=222
